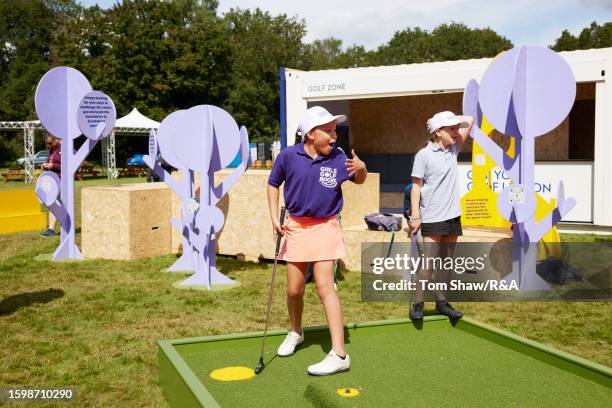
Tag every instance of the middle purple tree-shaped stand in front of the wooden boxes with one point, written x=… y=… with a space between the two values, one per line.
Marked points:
x=203 y=139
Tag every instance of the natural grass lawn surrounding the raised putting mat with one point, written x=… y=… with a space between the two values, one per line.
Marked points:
x=93 y=325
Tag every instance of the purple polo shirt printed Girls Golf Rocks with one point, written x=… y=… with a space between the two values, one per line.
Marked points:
x=312 y=186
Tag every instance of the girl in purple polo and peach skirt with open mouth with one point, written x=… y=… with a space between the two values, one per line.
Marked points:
x=313 y=172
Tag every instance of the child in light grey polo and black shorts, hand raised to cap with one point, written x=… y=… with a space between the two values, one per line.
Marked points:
x=436 y=209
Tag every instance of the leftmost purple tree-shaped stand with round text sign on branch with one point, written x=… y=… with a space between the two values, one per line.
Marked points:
x=67 y=107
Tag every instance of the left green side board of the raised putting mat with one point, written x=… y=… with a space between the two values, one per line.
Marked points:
x=180 y=385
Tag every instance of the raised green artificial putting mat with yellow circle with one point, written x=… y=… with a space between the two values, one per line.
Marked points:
x=393 y=363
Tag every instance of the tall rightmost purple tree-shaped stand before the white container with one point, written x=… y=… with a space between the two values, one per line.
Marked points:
x=524 y=93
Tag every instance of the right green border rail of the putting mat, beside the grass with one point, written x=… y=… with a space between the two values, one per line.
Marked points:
x=584 y=368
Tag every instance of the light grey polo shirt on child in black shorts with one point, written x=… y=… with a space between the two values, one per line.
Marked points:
x=437 y=167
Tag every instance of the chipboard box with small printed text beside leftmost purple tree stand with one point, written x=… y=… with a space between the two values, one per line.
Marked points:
x=126 y=222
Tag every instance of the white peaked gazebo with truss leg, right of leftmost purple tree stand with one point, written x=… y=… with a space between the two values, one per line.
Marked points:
x=133 y=123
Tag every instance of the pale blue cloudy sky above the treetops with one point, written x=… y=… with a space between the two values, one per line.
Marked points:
x=373 y=23
